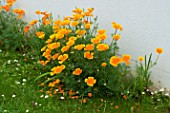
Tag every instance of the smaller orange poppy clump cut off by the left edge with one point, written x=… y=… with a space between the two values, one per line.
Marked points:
x=12 y=36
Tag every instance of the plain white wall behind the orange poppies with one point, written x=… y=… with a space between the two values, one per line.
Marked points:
x=146 y=25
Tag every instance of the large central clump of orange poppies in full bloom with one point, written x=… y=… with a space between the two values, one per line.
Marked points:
x=75 y=54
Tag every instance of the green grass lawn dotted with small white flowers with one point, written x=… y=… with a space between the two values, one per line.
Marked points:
x=19 y=93
